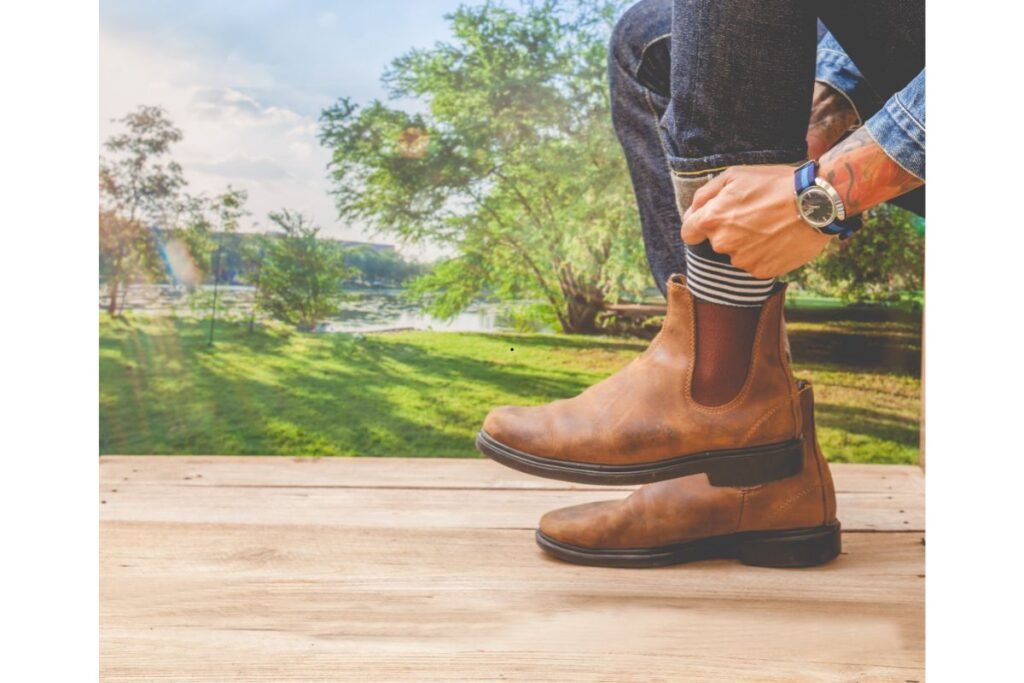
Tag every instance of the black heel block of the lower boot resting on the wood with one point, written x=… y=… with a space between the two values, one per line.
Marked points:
x=793 y=548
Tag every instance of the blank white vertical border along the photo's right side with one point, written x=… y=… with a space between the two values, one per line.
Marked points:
x=974 y=337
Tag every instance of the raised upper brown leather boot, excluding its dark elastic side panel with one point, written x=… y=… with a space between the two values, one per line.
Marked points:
x=644 y=425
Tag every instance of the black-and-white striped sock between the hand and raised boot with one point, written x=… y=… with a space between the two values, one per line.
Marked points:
x=711 y=278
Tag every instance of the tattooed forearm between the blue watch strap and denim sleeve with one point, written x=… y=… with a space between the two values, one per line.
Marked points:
x=864 y=175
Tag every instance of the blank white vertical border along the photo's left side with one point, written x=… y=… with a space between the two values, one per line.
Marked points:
x=49 y=392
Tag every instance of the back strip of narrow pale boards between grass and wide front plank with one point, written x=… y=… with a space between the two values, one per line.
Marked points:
x=471 y=494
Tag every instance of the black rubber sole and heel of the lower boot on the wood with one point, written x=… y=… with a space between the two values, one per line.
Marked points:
x=791 y=548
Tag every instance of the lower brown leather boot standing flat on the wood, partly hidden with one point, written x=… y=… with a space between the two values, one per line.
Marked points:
x=787 y=524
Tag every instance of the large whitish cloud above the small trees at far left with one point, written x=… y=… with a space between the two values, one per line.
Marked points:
x=231 y=136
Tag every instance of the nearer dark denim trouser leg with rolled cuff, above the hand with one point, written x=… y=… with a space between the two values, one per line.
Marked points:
x=743 y=74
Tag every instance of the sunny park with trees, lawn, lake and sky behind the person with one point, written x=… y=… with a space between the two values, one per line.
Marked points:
x=329 y=231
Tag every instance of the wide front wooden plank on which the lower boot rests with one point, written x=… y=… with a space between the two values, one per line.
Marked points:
x=258 y=603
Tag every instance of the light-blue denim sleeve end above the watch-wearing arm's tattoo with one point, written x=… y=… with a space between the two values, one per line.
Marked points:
x=900 y=127
